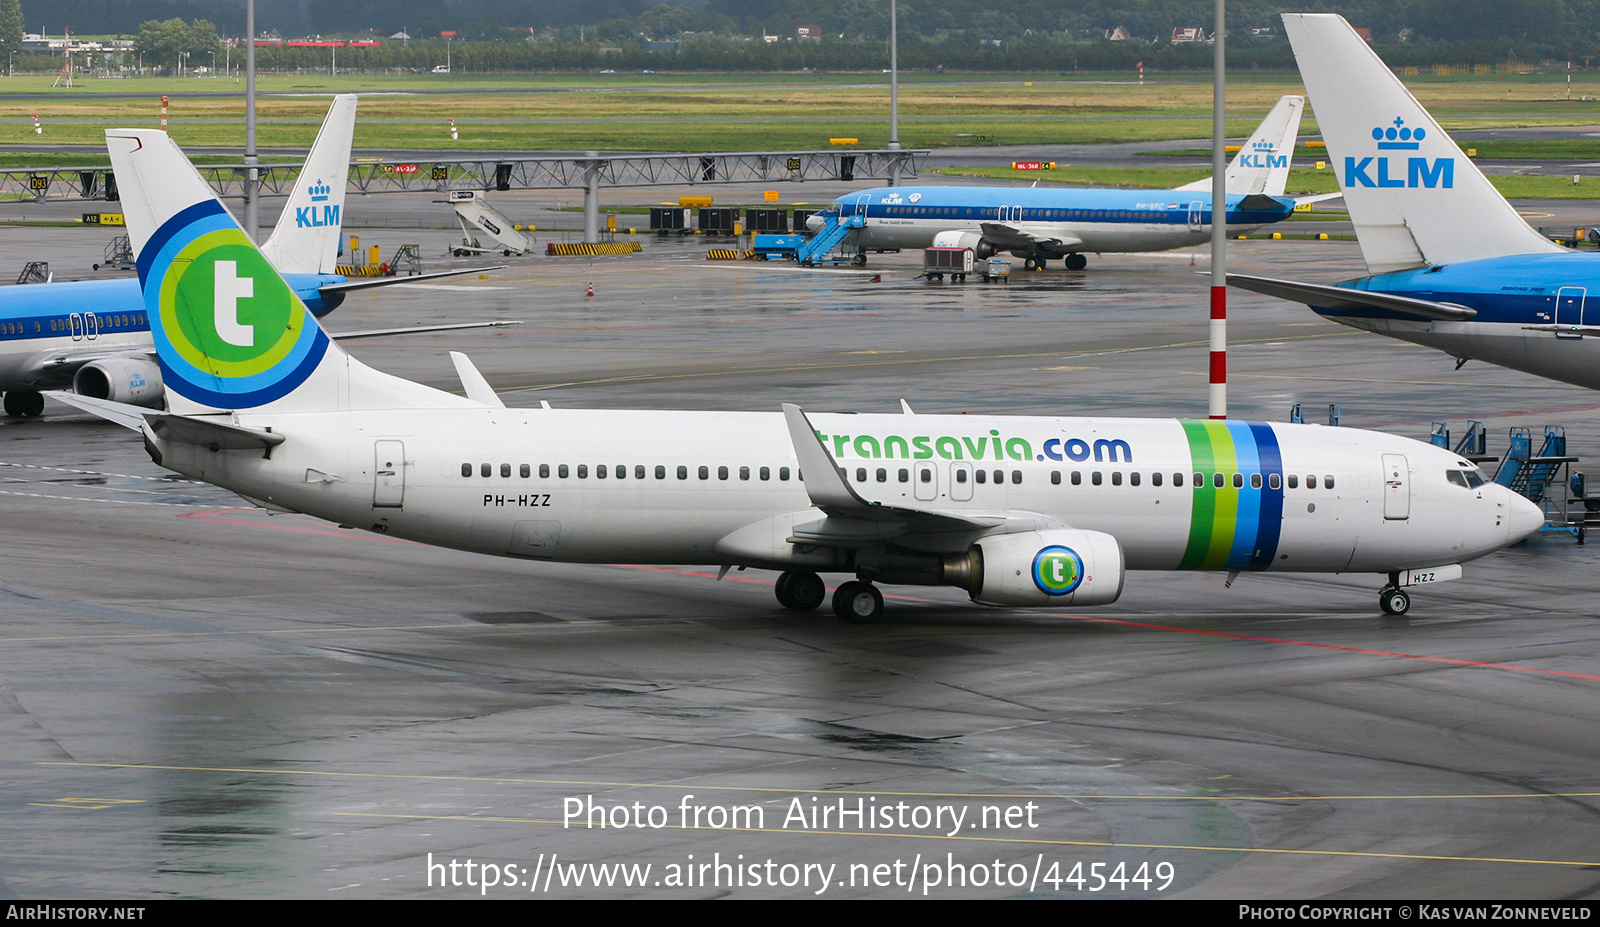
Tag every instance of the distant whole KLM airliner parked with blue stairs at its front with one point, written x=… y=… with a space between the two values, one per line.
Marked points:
x=1047 y=223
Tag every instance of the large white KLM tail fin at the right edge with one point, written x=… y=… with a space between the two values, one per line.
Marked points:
x=1414 y=198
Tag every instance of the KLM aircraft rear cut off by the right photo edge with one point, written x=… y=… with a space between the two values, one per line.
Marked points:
x=1454 y=265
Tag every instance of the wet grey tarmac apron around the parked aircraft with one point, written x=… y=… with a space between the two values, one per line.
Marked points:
x=204 y=700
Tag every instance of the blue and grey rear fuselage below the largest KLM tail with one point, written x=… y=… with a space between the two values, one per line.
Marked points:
x=1532 y=313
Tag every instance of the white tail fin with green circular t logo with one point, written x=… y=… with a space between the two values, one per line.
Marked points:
x=230 y=334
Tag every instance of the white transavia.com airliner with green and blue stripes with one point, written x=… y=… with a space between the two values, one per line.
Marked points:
x=1017 y=512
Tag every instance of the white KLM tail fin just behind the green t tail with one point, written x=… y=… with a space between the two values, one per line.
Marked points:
x=306 y=239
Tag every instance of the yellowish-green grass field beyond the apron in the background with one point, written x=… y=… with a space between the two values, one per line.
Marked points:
x=727 y=111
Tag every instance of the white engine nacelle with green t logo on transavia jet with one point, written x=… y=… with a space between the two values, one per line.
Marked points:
x=1055 y=568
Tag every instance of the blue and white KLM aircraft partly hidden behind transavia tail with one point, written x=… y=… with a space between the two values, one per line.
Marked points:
x=95 y=335
